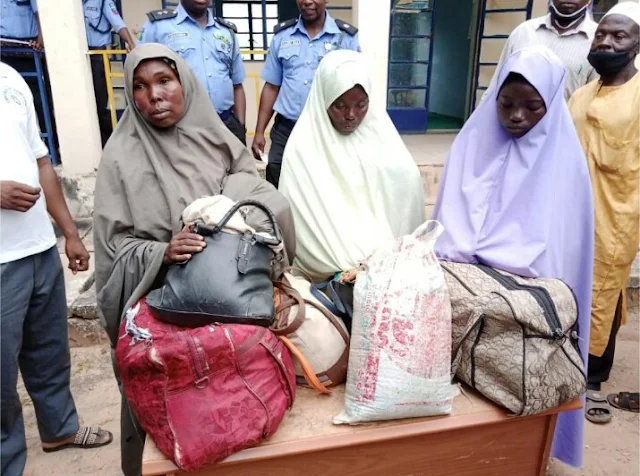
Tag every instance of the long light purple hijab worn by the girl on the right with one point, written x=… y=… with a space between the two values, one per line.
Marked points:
x=525 y=205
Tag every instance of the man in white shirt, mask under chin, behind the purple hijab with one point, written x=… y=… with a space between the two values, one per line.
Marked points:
x=568 y=31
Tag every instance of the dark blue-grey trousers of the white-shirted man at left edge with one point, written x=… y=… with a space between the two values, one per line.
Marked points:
x=34 y=340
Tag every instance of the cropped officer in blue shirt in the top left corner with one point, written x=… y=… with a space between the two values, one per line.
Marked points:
x=19 y=21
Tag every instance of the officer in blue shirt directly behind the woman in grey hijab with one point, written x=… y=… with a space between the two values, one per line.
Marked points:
x=209 y=46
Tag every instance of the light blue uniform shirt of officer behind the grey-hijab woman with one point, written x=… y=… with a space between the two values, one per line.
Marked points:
x=212 y=52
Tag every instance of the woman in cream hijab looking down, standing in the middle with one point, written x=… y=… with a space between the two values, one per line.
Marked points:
x=351 y=182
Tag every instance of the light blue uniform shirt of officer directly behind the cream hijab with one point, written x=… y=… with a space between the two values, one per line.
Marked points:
x=293 y=59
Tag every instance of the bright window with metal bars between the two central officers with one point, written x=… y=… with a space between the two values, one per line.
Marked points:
x=255 y=20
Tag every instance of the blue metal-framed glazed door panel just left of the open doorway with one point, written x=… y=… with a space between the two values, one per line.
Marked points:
x=411 y=119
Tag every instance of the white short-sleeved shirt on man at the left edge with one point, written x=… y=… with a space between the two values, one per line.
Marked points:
x=31 y=232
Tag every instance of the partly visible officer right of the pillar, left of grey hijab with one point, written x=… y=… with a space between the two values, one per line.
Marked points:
x=100 y=18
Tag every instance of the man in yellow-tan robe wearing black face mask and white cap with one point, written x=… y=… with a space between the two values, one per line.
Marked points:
x=607 y=118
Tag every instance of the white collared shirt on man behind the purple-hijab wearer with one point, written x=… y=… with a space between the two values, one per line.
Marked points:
x=571 y=46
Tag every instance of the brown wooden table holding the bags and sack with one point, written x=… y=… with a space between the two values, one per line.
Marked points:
x=478 y=438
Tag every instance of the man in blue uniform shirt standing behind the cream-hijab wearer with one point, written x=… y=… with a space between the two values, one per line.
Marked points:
x=295 y=52
